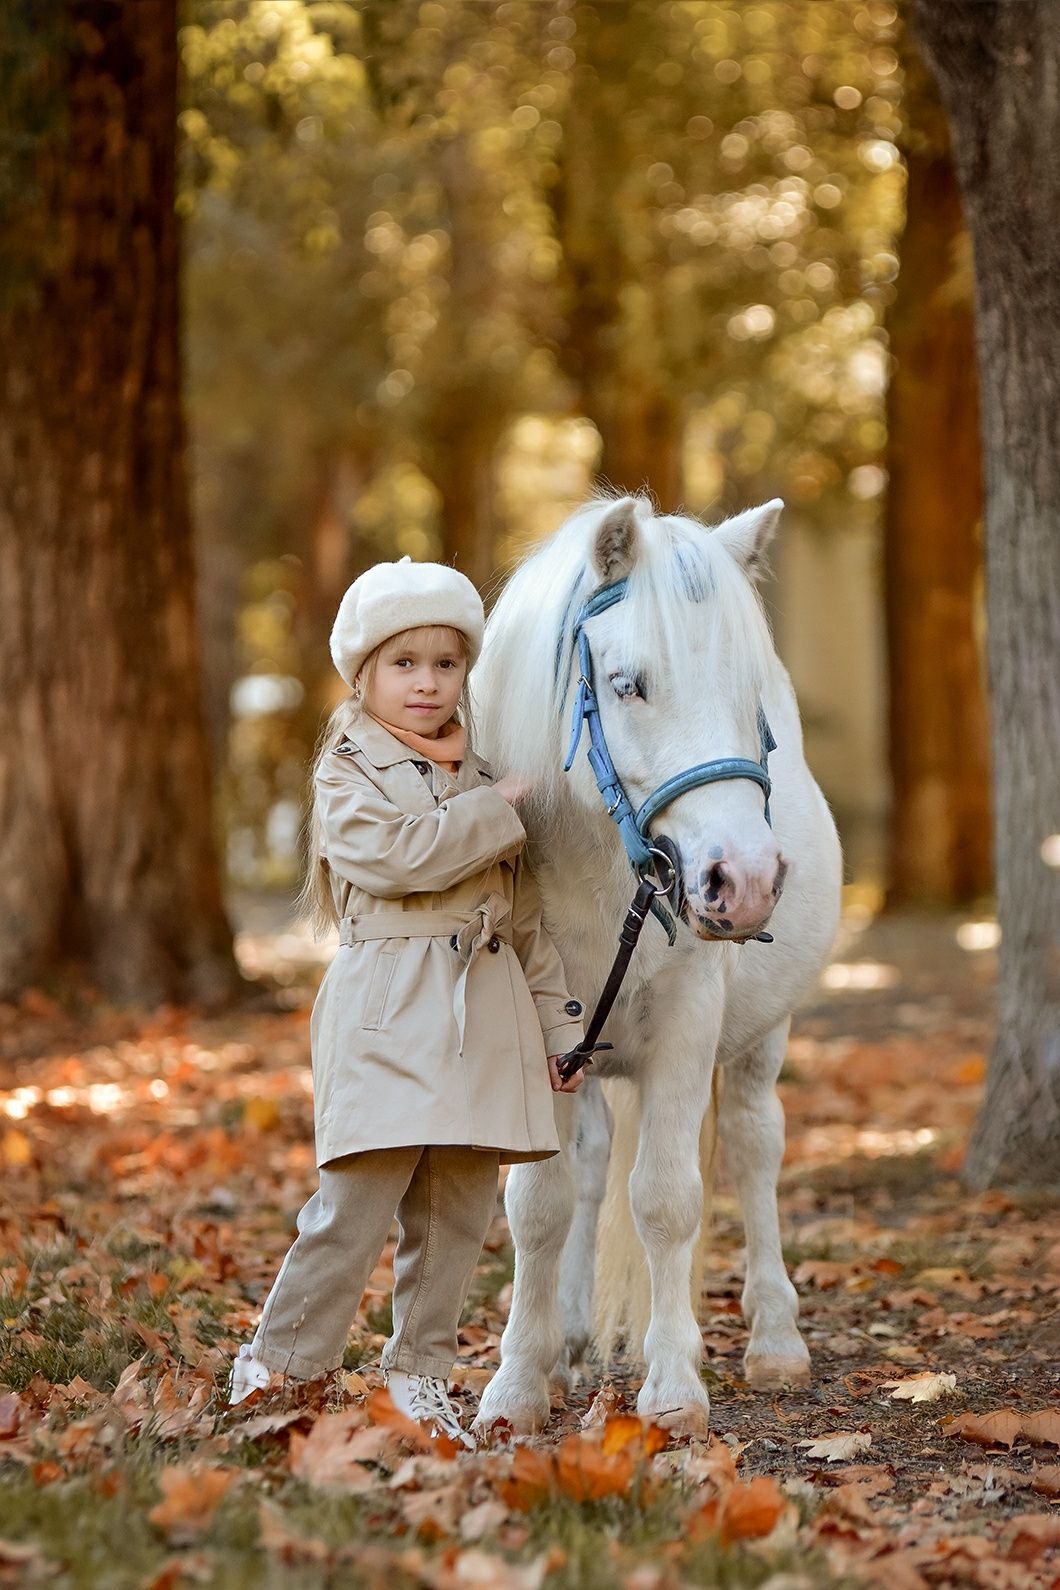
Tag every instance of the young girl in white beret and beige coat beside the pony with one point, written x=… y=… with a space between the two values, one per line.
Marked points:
x=438 y=1025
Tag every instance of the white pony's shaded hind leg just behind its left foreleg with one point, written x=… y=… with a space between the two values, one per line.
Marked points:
x=590 y=1157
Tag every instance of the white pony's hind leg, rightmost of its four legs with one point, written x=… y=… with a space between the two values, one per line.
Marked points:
x=752 y=1138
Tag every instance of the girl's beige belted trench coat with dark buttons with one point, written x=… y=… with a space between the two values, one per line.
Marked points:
x=436 y=1017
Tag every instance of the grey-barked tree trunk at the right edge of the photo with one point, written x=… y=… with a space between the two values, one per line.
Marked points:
x=999 y=69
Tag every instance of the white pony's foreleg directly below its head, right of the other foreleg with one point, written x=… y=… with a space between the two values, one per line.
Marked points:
x=667 y=1201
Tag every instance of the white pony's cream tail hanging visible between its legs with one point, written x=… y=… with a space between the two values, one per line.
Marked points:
x=622 y=1297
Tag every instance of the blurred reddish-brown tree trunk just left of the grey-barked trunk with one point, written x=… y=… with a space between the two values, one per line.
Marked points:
x=940 y=836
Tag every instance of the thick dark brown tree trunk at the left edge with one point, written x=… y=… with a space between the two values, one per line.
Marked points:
x=107 y=855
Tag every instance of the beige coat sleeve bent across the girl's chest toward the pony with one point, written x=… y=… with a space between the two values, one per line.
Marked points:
x=390 y=853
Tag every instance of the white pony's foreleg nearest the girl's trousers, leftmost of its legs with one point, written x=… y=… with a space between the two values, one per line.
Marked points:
x=540 y=1204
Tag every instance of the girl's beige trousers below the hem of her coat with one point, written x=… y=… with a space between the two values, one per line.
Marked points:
x=446 y=1200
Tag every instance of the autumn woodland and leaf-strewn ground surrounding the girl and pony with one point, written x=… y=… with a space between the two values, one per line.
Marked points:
x=295 y=285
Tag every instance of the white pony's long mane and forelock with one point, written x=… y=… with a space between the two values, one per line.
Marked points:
x=686 y=591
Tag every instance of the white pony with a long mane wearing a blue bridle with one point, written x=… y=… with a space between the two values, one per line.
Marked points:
x=684 y=667
